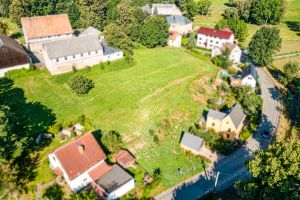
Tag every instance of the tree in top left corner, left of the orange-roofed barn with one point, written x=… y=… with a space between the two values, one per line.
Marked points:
x=18 y=9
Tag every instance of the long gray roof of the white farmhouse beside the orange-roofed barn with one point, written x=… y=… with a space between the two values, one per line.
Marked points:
x=72 y=46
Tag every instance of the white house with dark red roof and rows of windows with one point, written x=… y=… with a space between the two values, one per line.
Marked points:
x=212 y=38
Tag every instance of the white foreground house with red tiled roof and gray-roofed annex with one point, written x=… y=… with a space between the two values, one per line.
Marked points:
x=82 y=163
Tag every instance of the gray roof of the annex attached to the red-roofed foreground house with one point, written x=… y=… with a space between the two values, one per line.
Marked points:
x=113 y=179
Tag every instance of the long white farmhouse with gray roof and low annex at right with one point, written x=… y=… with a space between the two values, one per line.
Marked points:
x=77 y=52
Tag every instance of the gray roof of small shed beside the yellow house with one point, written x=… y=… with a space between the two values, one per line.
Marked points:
x=192 y=141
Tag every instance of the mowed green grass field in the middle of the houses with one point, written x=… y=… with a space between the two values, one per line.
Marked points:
x=161 y=85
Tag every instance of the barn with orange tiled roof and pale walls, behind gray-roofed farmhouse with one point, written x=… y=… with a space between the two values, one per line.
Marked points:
x=38 y=30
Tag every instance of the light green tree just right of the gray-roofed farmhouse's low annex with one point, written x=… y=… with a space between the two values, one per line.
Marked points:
x=117 y=38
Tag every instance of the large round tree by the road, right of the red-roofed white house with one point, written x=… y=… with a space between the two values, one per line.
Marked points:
x=265 y=42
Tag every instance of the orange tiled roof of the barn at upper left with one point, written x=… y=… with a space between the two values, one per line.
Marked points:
x=43 y=26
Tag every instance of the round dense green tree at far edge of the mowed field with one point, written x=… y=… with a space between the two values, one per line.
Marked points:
x=155 y=31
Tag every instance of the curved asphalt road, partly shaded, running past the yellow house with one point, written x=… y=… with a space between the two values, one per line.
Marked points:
x=232 y=167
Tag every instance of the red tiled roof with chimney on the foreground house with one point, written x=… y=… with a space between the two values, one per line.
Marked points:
x=79 y=155
